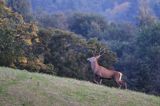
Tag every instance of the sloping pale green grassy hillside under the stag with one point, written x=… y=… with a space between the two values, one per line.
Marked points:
x=21 y=88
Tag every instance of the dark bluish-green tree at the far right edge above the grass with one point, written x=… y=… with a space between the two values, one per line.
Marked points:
x=148 y=50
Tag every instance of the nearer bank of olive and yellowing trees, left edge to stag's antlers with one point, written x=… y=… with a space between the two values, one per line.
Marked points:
x=50 y=51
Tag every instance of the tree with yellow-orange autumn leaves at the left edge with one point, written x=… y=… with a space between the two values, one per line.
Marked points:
x=18 y=36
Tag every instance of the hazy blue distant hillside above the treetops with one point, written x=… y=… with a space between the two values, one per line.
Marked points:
x=113 y=10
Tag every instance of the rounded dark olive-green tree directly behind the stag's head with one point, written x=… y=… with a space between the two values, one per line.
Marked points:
x=69 y=53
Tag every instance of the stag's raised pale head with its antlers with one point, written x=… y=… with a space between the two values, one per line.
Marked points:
x=96 y=57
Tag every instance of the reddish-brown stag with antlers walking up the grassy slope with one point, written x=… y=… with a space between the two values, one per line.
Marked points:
x=102 y=72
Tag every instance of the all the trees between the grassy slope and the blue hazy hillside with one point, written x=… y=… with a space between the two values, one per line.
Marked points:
x=61 y=43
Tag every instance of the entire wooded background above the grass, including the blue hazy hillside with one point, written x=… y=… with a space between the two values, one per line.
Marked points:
x=68 y=31
